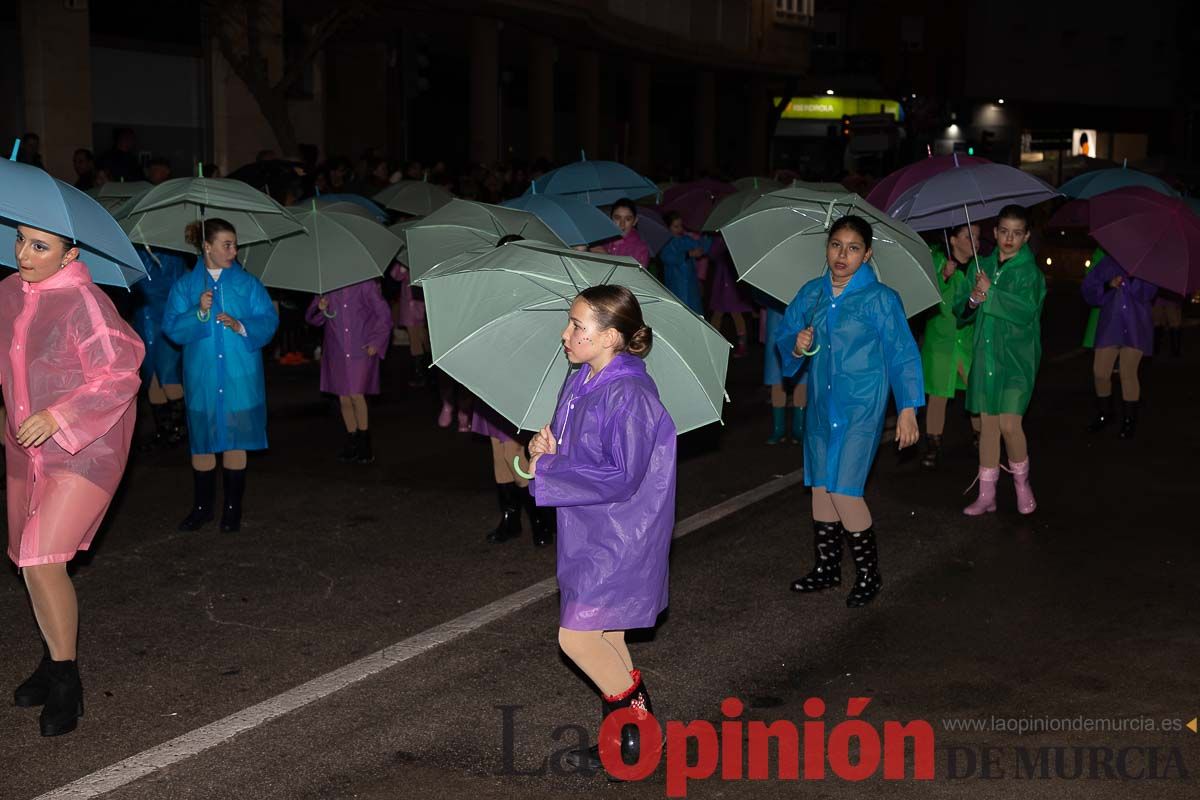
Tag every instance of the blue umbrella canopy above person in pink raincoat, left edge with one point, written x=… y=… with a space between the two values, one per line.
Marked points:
x=32 y=197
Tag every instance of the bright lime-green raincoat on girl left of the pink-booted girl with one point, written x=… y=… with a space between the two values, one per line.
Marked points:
x=946 y=350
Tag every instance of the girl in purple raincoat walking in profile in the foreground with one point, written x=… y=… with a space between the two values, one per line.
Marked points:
x=608 y=464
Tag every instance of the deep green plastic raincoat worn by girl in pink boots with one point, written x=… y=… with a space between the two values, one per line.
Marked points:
x=1009 y=333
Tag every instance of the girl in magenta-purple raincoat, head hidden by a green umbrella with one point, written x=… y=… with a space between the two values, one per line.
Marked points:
x=358 y=328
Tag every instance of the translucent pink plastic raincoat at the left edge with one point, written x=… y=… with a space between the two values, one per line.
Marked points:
x=65 y=350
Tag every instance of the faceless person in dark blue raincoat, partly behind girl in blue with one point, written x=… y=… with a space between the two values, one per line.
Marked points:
x=163 y=369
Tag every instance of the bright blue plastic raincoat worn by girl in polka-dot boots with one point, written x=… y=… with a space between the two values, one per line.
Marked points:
x=866 y=348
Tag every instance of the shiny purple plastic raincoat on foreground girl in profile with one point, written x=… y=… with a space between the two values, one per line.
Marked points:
x=614 y=482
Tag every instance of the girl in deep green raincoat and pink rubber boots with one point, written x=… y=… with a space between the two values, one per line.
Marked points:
x=1004 y=299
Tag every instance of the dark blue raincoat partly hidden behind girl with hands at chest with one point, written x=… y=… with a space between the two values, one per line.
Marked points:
x=164 y=358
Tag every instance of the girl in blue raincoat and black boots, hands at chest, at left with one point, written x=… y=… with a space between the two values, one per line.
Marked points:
x=223 y=317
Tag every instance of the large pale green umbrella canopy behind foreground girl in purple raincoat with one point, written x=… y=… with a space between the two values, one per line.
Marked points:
x=496 y=318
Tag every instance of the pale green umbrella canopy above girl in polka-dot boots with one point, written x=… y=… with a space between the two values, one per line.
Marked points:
x=779 y=245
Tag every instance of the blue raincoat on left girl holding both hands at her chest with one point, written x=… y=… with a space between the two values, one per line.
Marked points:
x=223 y=370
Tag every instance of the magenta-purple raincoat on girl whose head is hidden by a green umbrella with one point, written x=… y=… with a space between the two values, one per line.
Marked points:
x=357 y=318
